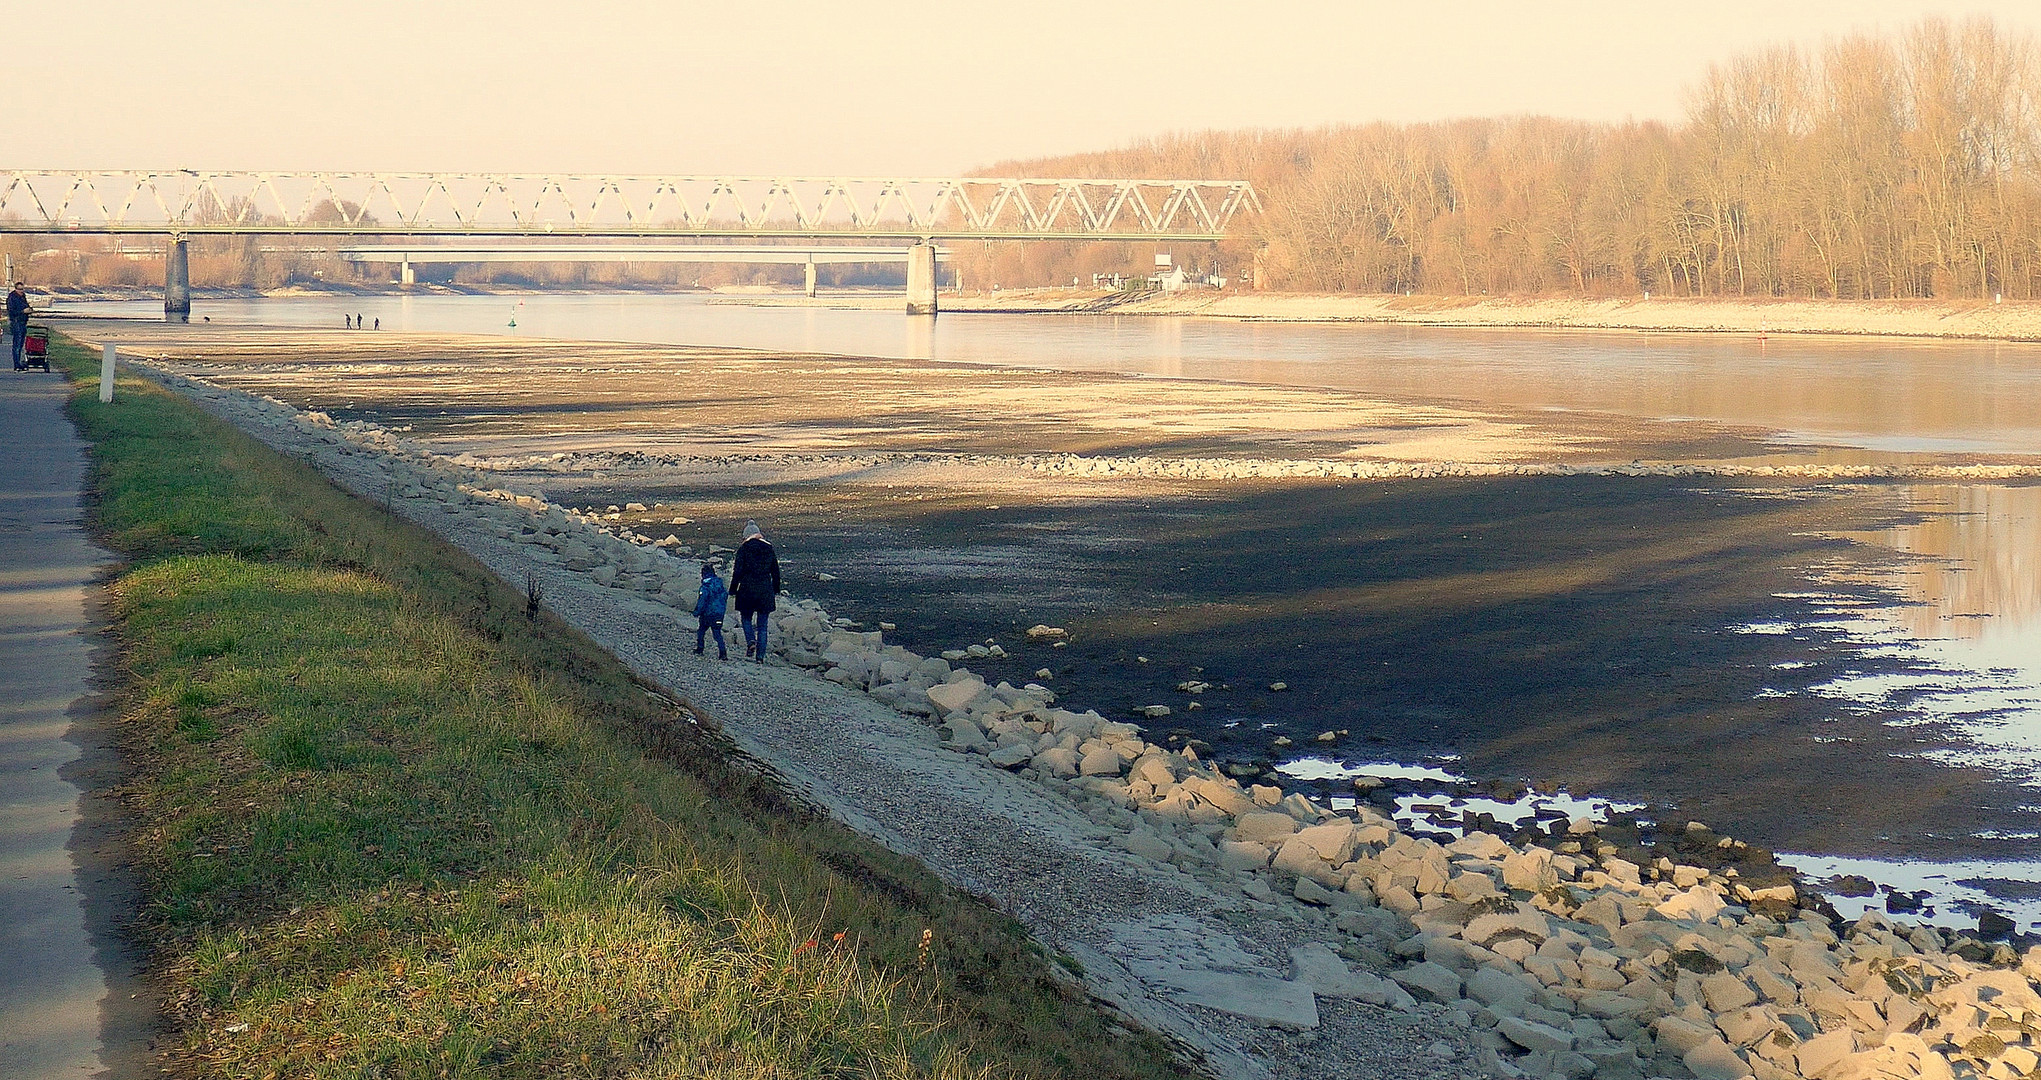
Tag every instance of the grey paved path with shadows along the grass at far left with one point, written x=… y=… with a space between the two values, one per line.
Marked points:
x=66 y=995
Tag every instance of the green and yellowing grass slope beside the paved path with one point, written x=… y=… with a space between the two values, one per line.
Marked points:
x=393 y=828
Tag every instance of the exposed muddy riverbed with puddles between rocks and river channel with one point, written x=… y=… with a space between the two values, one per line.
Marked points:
x=1815 y=665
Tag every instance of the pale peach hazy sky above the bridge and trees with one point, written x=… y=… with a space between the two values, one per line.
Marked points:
x=848 y=87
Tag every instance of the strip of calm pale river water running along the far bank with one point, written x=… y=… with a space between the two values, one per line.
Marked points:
x=1877 y=395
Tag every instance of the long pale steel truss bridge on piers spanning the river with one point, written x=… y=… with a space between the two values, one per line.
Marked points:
x=911 y=213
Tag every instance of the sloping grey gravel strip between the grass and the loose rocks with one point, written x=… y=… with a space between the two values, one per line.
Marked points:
x=987 y=832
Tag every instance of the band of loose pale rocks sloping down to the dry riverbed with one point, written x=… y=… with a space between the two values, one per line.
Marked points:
x=1575 y=956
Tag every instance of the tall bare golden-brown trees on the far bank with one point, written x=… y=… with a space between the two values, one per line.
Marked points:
x=1875 y=166
